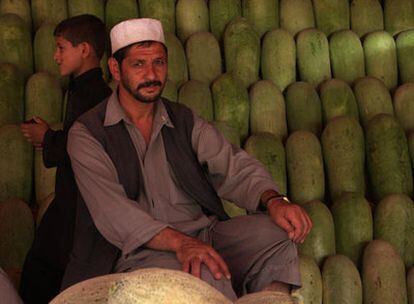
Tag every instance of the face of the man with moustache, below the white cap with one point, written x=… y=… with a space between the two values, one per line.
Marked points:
x=144 y=71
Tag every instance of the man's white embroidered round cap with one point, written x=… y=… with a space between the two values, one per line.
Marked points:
x=136 y=30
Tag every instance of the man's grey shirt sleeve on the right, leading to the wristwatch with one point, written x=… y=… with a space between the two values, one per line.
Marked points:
x=236 y=176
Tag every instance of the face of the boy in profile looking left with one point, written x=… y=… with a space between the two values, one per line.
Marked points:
x=68 y=57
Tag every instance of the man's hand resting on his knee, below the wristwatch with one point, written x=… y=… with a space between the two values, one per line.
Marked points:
x=290 y=217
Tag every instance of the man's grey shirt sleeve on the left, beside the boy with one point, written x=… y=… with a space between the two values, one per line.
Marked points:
x=122 y=221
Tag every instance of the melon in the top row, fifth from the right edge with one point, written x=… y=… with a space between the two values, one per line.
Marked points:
x=262 y=14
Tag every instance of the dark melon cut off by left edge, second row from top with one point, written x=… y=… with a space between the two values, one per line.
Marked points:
x=16 y=43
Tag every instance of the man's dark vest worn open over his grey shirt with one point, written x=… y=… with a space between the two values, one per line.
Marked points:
x=92 y=255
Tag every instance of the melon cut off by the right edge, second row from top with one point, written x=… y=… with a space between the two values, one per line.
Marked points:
x=405 y=53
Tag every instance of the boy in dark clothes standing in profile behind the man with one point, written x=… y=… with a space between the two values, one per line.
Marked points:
x=80 y=44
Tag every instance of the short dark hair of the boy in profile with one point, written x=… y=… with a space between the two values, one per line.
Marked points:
x=84 y=28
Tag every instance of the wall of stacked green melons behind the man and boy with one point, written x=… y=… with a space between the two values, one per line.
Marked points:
x=322 y=92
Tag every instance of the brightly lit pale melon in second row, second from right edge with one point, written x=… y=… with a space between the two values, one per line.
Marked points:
x=381 y=58
